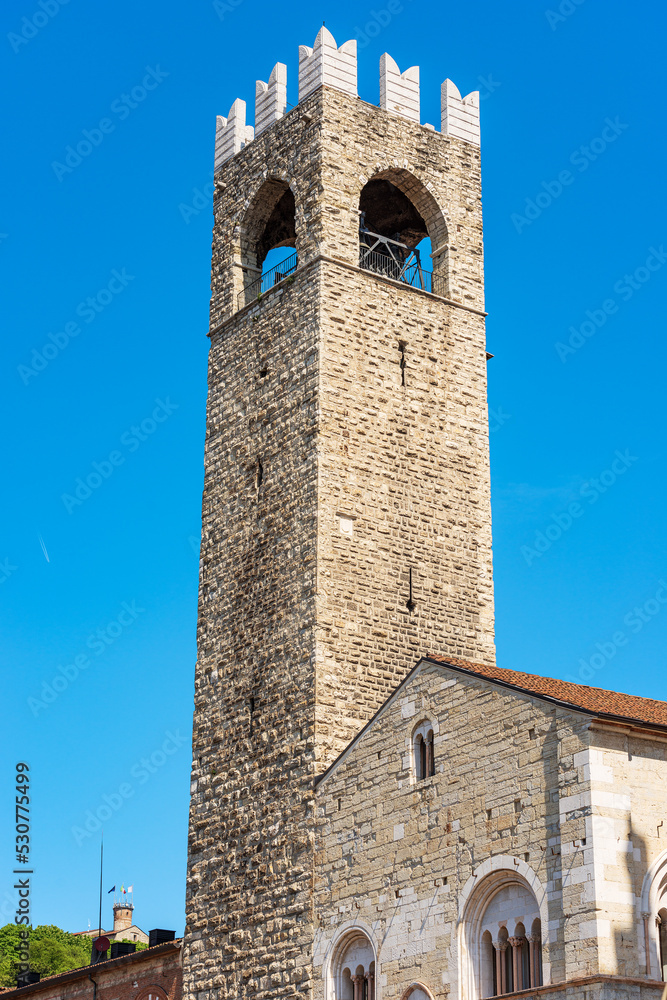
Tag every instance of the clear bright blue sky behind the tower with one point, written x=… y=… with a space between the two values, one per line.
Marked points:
x=549 y=85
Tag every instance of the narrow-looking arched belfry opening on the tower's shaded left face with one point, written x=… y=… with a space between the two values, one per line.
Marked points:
x=268 y=240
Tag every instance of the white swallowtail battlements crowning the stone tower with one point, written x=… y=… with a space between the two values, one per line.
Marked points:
x=326 y=64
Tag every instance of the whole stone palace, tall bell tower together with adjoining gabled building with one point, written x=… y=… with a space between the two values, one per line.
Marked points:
x=379 y=811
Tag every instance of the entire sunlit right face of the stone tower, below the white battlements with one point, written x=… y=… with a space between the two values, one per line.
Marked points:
x=408 y=464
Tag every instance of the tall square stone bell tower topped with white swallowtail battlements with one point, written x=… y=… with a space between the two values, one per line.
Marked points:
x=346 y=511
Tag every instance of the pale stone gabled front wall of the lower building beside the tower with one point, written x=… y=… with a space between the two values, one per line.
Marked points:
x=394 y=855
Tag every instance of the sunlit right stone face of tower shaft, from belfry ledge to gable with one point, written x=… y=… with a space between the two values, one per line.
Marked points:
x=408 y=466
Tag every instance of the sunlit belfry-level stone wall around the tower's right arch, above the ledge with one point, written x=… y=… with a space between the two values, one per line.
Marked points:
x=440 y=175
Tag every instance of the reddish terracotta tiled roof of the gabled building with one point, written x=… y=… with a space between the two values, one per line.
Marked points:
x=592 y=701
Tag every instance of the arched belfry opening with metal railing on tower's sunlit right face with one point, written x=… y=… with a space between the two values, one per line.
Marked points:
x=402 y=231
